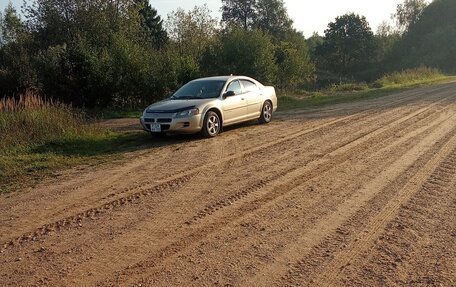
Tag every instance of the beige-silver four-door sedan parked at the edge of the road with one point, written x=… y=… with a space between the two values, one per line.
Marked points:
x=208 y=104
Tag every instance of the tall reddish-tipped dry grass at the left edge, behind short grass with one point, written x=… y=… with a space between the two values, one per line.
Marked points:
x=30 y=120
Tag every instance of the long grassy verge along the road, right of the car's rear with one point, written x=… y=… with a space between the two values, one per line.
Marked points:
x=388 y=84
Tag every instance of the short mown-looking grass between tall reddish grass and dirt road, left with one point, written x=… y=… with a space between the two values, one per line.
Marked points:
x=21 y=167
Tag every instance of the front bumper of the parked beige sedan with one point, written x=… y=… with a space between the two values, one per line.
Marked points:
x=168 y=124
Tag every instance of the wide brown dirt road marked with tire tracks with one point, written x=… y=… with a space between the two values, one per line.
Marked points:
x=360 y=194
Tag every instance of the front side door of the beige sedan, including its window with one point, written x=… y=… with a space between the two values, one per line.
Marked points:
x=235 y=106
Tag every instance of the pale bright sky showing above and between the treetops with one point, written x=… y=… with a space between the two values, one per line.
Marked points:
x=308 y=15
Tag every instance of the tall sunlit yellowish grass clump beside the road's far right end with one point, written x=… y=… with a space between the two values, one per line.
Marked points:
x=409 y=76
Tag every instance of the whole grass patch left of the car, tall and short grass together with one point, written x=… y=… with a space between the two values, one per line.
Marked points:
x=39 y=137
